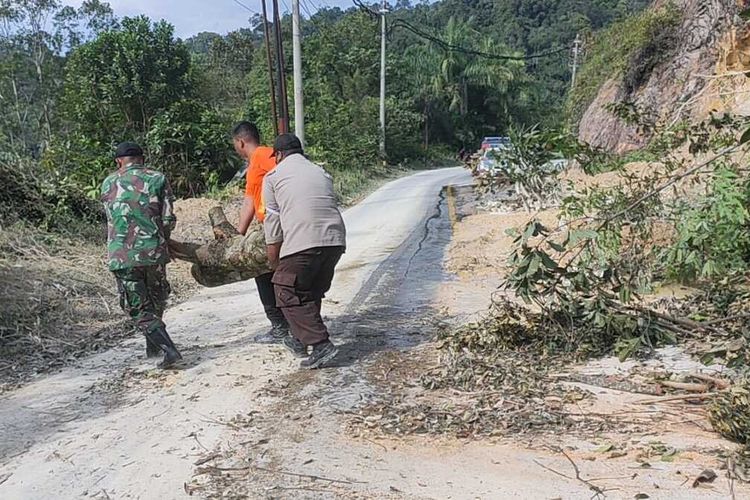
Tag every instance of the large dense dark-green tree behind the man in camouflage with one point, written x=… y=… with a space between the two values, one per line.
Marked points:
x=135 y=82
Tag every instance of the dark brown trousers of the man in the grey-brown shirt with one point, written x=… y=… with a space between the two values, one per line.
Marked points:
x=300 y=282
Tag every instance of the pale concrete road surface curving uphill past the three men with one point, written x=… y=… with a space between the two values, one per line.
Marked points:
x=111 y=427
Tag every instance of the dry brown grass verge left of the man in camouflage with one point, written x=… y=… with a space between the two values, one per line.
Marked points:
x=56 y=301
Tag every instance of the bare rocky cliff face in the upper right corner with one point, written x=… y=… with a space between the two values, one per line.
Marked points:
x=704 y=71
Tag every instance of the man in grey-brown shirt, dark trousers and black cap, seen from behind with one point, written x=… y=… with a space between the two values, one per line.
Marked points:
x=305 y=237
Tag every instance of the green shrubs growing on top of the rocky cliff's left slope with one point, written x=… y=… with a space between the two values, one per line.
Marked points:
x=630 y=48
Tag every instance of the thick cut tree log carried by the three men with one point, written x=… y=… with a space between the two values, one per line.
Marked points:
x=230 y=258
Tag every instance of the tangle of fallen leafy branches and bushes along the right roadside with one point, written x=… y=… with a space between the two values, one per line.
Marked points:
x=588 y=275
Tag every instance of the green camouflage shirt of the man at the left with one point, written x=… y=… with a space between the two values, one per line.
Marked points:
x=140 y=217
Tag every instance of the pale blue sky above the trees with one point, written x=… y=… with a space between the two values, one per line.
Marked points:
x=190 y=17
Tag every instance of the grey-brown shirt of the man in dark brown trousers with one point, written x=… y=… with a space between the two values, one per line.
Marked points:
x=301 y=209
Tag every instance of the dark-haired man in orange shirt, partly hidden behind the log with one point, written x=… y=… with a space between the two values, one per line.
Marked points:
x=261 y=160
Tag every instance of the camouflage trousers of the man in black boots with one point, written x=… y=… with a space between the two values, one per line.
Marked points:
x=143 y=296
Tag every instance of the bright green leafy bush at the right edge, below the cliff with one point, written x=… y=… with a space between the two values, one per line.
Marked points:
x=712 y=237
